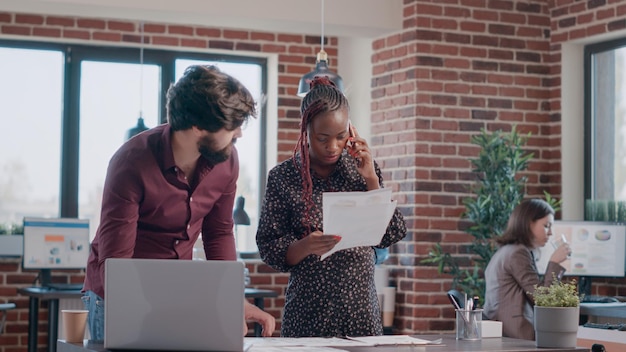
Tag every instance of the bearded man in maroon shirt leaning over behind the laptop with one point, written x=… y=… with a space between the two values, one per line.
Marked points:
x=173 y=183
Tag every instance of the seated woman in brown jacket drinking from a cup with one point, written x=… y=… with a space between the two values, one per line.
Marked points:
x=511 y=273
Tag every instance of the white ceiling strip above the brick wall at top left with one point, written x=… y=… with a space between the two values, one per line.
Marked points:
x=343 y=18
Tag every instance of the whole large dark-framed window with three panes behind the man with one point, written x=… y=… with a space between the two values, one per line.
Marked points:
x=65 y=128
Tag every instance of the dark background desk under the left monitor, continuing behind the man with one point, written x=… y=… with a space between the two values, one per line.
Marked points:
x=37 y=294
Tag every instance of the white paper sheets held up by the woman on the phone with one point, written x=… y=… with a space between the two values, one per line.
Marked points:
x=360 y=218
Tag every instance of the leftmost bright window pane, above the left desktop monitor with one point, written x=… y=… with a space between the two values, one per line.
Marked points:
x=30 y=162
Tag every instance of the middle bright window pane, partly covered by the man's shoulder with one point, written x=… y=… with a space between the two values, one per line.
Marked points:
x=109 y=105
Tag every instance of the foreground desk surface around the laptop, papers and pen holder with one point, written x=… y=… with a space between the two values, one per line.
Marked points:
x=500 y=344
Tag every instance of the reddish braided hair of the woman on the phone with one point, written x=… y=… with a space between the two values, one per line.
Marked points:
x=323 y=97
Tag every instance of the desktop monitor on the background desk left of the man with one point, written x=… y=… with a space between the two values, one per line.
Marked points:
x=55 y=243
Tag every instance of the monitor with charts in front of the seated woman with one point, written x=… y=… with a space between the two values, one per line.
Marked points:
x=598 y=248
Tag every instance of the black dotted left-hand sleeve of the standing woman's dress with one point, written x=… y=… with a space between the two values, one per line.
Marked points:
x=274 y=235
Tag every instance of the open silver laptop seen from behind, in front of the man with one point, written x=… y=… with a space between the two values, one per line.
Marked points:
x=162 y=304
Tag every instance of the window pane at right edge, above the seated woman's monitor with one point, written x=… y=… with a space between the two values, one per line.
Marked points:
x=605 y=121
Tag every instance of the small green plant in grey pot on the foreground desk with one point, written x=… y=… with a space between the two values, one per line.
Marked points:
x=556 y=314
